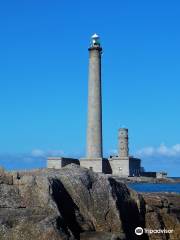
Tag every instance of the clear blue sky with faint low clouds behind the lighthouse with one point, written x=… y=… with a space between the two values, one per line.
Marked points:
x=43 y=79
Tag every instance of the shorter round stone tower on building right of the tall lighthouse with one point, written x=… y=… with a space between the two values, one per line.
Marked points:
x=123 y=143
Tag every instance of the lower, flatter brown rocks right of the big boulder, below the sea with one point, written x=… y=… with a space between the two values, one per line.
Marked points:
x=162 y=212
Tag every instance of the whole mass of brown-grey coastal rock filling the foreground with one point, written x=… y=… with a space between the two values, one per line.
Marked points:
x=75 y=203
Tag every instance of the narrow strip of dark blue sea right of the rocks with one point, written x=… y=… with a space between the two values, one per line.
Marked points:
x=156 y=187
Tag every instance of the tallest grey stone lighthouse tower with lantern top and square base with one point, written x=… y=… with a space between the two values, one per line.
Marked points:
x=94 y=154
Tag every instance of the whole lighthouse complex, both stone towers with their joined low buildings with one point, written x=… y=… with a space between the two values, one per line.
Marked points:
x=120 y=165
